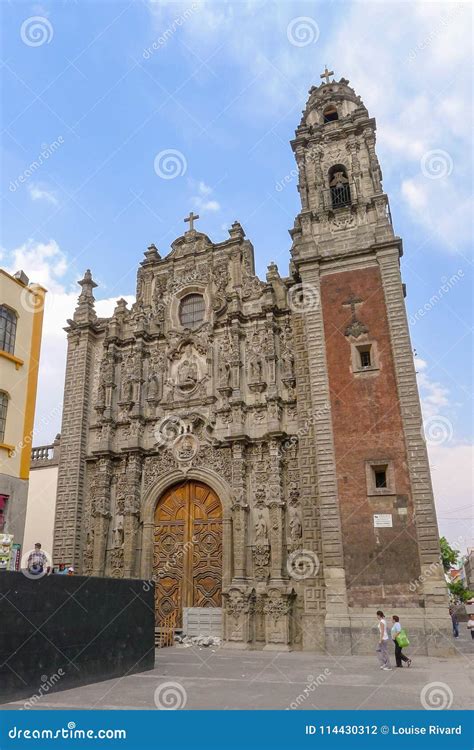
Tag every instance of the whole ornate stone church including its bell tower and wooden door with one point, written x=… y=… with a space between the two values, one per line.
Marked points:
x=254 y=446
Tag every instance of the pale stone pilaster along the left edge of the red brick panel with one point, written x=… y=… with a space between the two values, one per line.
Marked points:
x=325 y=617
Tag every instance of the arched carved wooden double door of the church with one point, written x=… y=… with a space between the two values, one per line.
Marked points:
x=187 y=560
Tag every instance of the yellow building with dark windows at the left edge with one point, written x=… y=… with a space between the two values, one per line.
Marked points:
x=21 y=322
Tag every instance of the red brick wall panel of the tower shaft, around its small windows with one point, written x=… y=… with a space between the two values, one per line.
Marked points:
x=367 y=425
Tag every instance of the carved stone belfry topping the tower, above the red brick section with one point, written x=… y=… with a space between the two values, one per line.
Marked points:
x=340 y=180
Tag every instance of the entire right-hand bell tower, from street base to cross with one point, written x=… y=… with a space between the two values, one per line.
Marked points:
x=369 y=483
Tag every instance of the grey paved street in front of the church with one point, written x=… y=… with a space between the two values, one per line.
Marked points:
x=216 y=678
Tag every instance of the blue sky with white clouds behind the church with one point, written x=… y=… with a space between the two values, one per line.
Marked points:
x=135 y=113
